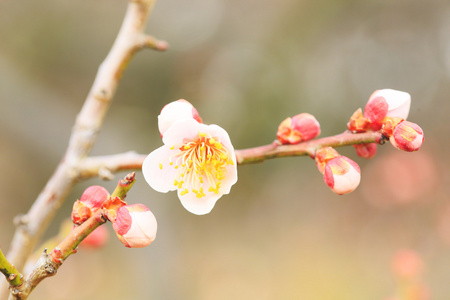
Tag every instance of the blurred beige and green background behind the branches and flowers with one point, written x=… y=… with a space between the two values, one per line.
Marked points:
x=246 y=65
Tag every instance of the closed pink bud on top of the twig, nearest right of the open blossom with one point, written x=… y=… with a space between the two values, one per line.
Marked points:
x=299 y=128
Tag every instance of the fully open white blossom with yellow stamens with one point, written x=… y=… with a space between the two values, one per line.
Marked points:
x=197 y=160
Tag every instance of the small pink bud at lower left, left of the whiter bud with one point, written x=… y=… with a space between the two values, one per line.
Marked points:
x=90 y=202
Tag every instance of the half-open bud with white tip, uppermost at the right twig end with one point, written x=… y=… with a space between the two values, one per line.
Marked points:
x=387 y=103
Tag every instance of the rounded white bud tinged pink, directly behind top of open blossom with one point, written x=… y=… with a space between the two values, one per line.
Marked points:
x=176 y=111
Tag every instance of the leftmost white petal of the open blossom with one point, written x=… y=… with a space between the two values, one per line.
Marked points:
x=157 y=171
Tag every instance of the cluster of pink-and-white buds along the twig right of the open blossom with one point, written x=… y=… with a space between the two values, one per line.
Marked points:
x=385 y=111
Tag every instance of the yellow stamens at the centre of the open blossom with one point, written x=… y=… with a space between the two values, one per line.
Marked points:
x=201 y=163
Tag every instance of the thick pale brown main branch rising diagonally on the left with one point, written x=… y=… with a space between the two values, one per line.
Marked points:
x=32 y=225
